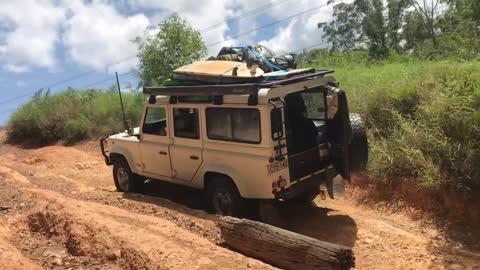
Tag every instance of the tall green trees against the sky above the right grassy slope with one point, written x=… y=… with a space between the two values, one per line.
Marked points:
x=428 y=29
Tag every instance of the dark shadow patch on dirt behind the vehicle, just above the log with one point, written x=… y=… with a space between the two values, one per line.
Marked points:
x=316 y=222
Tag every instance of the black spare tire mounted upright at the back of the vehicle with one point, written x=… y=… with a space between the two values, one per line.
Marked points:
x=358 y=144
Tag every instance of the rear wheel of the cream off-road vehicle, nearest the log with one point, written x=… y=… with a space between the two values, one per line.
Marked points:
x=223 y=197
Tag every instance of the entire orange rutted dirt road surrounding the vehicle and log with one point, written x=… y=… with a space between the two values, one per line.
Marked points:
x=59 y=210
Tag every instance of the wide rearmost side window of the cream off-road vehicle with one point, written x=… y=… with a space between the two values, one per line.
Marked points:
x=233 y=124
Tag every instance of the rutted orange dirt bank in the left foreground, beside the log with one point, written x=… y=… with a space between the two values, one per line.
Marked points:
x=59 y=232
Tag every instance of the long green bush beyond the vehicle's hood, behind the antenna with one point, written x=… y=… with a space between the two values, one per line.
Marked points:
x=72 y=116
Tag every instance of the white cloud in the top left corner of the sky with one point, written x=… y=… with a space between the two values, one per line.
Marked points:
x=31 y=33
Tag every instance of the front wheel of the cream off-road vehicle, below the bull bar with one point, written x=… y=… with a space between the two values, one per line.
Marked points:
x=125 y=180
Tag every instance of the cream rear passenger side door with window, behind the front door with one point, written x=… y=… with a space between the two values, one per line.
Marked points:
x=186 y=147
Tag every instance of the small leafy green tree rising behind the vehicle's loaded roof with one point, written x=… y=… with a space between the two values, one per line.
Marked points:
x=175 y=44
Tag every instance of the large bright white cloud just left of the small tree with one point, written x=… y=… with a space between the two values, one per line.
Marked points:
x=96 y=34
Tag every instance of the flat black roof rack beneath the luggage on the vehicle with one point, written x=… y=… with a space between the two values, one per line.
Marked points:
x=227 y=89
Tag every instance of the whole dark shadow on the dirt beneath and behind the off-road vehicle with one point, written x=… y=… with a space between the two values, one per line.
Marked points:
x=310 y=220
